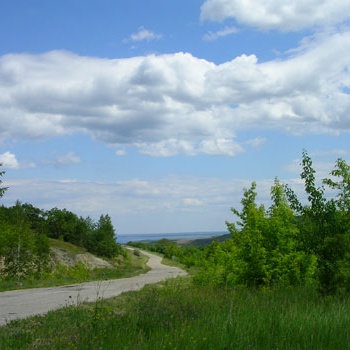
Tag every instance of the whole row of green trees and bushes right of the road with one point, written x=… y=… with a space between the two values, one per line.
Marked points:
x=292 y=242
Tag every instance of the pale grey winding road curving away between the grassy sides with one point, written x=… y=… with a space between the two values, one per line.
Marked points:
x=28 y=302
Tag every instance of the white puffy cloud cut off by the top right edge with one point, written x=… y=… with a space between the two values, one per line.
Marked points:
x=276 y=14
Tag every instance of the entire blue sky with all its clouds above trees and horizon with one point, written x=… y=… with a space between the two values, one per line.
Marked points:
x=160 y=112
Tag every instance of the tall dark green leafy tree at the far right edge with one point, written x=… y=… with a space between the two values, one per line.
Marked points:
x=323 y=231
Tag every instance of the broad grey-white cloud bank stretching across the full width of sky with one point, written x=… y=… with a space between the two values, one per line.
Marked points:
x=173 y=104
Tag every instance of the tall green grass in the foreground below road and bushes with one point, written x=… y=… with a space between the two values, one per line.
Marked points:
x=178 y=315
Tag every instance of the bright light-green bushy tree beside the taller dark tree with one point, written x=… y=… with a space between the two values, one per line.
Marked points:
x=264 y=247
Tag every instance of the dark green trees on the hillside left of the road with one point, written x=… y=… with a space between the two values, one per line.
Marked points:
x=25 y=231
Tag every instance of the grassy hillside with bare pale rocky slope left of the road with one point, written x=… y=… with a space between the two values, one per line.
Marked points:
x=69 y=264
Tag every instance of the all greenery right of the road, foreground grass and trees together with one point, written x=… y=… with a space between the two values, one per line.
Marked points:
x=280 y=281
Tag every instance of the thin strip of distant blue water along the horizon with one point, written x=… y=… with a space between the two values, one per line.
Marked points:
x=157 y=236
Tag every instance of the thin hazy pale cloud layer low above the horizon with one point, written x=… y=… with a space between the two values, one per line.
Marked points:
x=180 y=200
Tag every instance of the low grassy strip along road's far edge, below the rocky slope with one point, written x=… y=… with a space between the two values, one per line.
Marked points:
x=132 y=266
